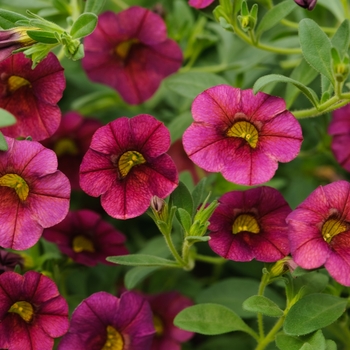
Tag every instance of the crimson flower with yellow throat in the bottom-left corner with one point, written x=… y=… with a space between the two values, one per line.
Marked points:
x=32 y=312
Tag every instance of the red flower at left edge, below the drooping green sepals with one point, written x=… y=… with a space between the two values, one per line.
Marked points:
x=31 y=95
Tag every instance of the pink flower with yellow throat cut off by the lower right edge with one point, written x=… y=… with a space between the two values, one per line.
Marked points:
x=319 y=231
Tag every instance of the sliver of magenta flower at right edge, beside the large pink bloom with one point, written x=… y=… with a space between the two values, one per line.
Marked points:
x=339 y=128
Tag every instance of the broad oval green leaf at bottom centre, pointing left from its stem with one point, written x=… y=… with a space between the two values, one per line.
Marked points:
x=210 y=319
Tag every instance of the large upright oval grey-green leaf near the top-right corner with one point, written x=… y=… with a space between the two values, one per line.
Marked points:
x=316 y=47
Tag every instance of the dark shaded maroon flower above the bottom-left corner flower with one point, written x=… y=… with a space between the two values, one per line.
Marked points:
x=86 y=238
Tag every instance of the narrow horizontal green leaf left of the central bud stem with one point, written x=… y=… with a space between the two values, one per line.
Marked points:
x=142 y=260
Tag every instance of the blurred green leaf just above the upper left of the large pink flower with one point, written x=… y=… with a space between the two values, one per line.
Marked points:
x=191 y=84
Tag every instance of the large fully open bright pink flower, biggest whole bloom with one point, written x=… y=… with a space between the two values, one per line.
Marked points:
x=241 y=134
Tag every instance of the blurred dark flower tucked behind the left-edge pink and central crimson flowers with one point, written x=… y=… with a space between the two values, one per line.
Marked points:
x=70 y=143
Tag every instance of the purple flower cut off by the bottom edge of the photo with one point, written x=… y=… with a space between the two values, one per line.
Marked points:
x=103 y=321
